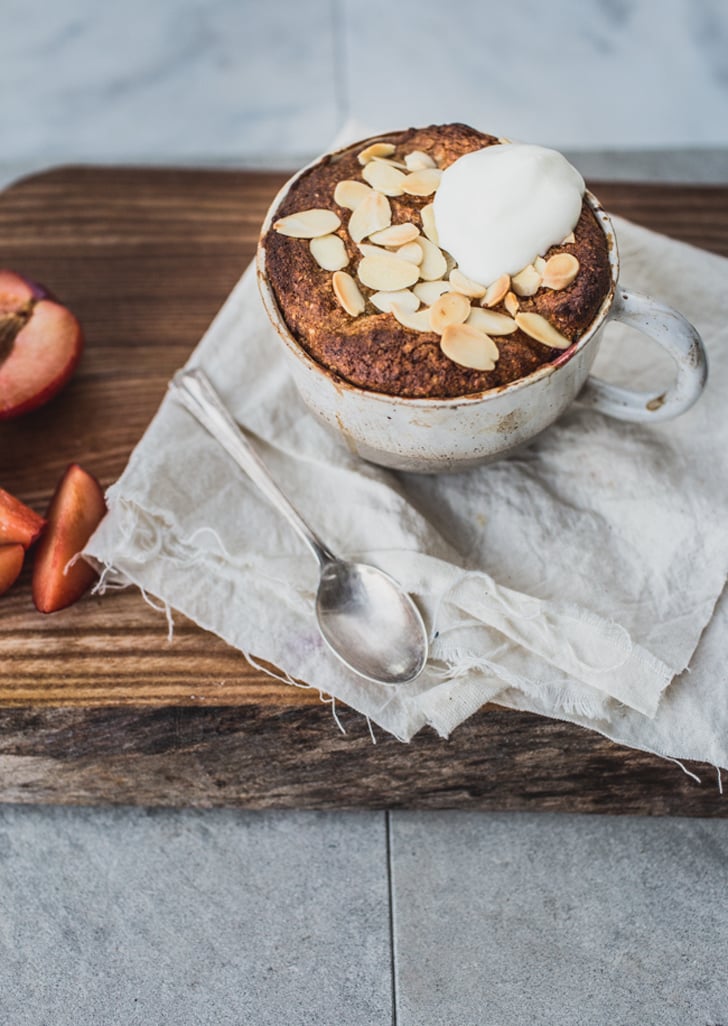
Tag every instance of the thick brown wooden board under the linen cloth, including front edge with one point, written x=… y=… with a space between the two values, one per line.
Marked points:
x=96 y=705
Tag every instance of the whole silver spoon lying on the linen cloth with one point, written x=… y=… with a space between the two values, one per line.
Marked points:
x=365 y=616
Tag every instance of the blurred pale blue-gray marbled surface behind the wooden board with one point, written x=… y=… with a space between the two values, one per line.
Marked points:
x=236 y=82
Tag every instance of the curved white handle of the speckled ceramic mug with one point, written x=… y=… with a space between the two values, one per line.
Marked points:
x=674 y=334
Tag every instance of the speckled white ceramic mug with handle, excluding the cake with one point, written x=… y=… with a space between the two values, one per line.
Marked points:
x=434 y=436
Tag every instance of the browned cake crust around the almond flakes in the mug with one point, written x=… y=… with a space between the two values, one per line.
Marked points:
x=374 y=350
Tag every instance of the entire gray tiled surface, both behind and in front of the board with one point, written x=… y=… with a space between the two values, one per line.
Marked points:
x=131 y=917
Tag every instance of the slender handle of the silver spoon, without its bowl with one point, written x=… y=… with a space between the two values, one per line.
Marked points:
x=194 y=389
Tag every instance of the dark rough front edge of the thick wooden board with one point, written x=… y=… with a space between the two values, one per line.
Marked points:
x=300 y=760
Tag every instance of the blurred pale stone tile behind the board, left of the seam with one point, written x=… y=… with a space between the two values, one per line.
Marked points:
x=177 y=80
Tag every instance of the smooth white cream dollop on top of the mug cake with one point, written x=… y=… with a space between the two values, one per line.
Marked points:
x=499 y=209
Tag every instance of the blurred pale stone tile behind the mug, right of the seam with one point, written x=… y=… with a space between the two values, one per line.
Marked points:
x=601 y=73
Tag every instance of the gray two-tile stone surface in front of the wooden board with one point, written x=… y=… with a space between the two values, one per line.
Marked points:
x=210 y=919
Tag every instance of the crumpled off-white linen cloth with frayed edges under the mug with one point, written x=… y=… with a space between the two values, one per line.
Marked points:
x=574 y=579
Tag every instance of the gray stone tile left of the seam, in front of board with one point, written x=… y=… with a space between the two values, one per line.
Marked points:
x=193 y=919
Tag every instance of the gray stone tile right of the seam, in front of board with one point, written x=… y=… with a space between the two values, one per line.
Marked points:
x=559 y=921
